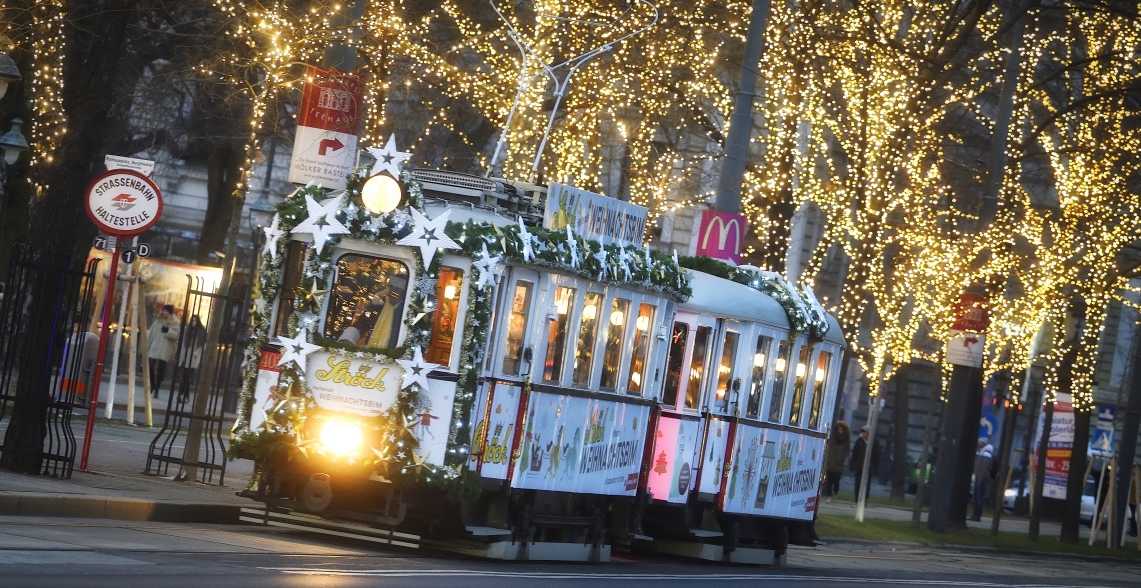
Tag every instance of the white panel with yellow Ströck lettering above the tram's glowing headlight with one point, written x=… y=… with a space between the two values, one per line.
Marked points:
x=358 y=386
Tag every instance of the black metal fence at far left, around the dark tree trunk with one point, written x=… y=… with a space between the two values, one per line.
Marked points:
x=47 y=360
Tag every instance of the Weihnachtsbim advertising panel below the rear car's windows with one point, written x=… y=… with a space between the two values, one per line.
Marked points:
x=774 y=473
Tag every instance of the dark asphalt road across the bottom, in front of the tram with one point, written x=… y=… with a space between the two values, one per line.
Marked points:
x=94 y=553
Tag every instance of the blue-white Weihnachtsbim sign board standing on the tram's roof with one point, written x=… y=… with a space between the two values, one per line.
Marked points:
x=594 y=216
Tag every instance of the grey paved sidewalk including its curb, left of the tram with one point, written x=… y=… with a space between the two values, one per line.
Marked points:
x=115 y=486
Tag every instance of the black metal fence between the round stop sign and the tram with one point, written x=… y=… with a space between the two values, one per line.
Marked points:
x=196 y=408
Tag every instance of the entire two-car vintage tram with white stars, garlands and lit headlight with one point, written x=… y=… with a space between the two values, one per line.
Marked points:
x=503 y=369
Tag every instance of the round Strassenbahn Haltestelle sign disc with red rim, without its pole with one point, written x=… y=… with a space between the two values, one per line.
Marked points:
x=124 y=203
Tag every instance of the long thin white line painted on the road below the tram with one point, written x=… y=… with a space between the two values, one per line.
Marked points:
x=653 y=577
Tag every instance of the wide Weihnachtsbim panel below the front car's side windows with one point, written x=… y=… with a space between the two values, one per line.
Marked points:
x=577 y=445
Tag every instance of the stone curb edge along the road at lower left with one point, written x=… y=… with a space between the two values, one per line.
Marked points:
x=117 y=509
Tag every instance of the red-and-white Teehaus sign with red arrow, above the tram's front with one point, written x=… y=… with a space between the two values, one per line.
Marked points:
x=325 y=149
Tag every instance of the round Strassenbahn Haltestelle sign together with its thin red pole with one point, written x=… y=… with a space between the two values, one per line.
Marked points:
x=123 y=204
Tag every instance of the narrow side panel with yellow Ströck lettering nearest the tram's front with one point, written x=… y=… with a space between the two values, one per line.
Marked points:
x=498 y=432
